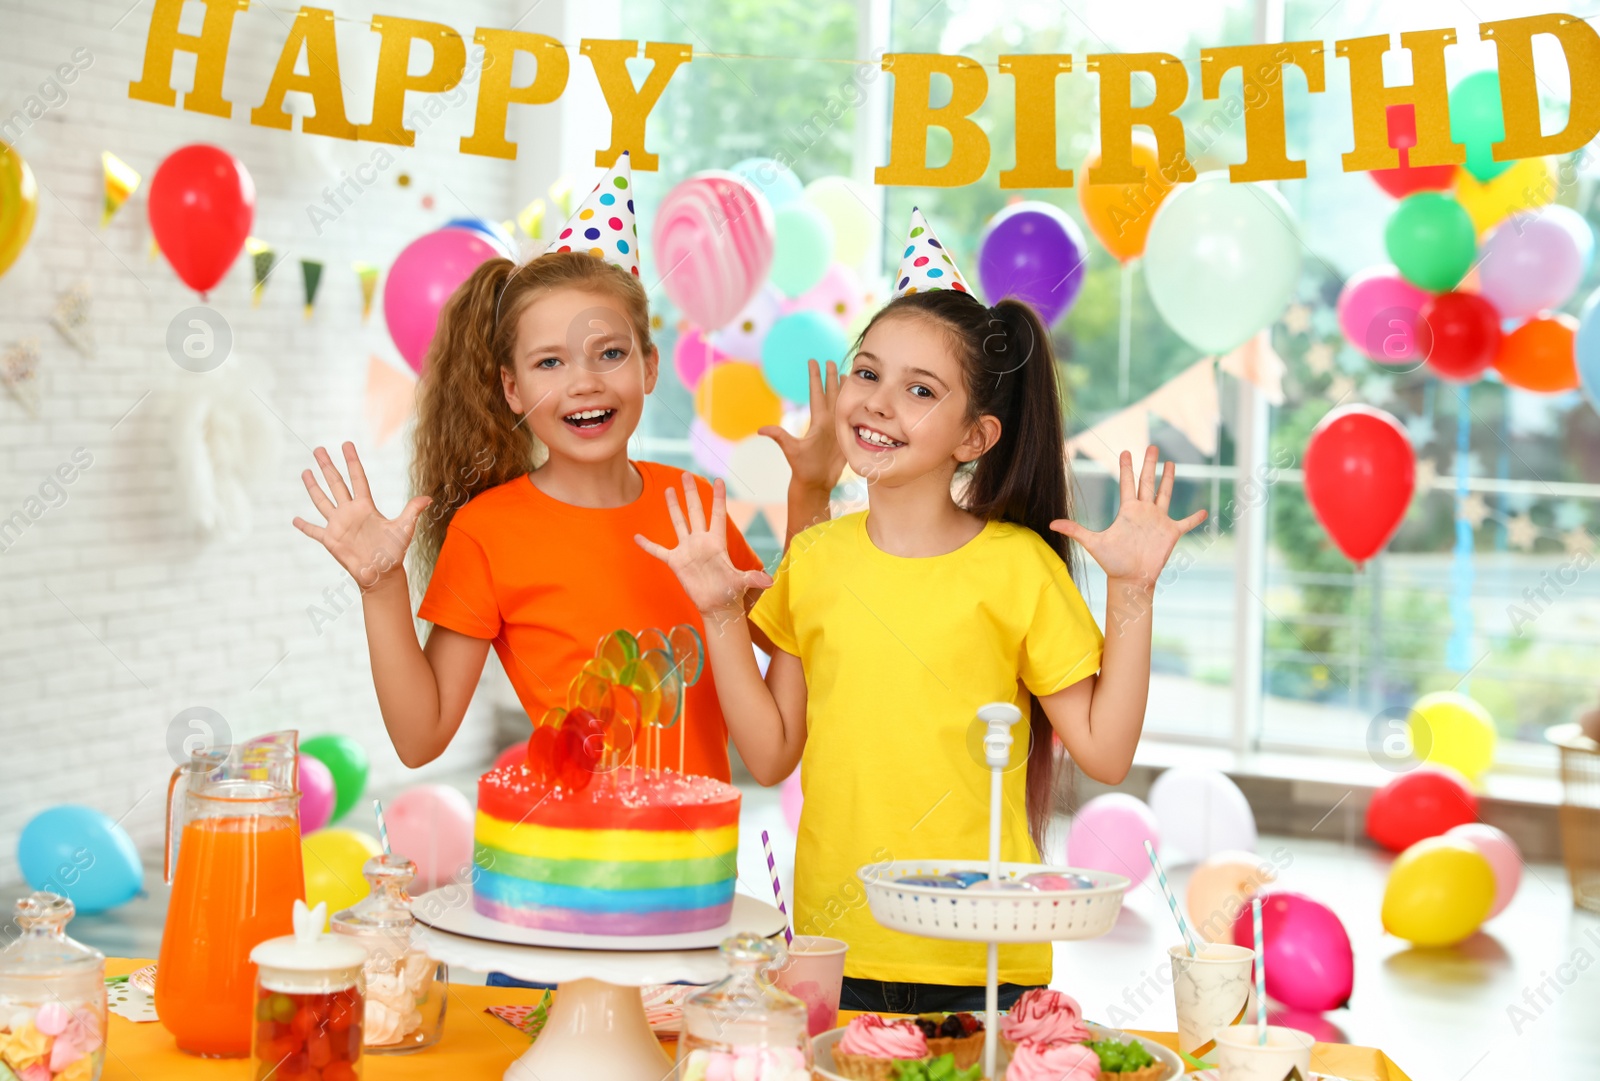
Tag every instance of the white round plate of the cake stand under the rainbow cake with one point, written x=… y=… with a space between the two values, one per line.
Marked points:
x=450 y=909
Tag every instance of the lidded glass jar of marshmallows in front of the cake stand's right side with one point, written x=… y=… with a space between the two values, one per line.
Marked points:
x=745 y=1027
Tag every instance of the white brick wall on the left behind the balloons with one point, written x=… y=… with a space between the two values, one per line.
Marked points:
x=114 y=615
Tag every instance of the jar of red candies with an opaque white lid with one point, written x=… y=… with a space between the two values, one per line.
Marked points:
x=310 y=1003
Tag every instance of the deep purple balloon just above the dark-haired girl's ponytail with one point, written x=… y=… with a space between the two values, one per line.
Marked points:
x=1036 y=253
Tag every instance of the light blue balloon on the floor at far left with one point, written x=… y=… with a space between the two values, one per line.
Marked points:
x=81 y=855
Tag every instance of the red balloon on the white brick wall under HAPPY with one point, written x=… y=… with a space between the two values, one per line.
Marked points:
x=202 y=204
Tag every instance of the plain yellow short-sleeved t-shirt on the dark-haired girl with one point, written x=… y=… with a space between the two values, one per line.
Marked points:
x=898 y=656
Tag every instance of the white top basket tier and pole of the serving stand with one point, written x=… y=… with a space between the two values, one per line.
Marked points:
x=993 y=917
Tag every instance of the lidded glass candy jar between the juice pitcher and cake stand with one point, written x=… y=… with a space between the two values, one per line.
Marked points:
x=406 y=989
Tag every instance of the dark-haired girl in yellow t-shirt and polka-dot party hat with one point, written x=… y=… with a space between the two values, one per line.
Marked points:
x=895 y=624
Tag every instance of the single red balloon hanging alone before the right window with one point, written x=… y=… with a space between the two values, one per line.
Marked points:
x=1359 y=479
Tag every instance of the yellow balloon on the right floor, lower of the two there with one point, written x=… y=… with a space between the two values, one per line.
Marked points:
x=1439 y=892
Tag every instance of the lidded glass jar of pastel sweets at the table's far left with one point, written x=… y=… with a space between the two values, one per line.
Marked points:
x=52 y=997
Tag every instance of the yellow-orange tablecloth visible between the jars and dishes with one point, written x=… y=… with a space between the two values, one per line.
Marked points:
x=479 y=1047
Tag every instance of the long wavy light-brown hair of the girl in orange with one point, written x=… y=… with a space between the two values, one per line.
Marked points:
x=468 y=439
